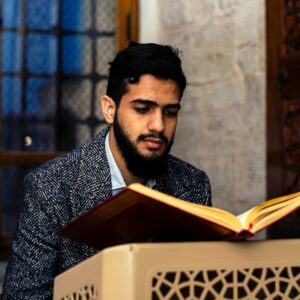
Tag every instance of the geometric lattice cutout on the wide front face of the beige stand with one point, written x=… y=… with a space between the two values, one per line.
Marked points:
x=249 y=283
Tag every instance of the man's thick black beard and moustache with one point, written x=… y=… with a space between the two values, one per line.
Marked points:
x=149 y=166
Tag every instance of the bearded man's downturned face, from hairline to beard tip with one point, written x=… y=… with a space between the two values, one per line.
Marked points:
x=145 y=123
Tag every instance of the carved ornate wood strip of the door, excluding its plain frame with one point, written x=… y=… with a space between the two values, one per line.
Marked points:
x=291 y=105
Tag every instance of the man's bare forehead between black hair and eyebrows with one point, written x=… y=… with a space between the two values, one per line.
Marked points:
x=163 y=91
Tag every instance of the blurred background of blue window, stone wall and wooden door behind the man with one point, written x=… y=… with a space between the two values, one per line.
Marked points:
x=240 y=116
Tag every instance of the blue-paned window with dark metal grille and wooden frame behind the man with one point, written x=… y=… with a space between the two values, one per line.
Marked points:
x=53 y=67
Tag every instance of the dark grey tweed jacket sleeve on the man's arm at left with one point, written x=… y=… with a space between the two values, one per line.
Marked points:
x=31 y=268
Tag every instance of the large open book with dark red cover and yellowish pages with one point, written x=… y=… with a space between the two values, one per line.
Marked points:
x=140 y=214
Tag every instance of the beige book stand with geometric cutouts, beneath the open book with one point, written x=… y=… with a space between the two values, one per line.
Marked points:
x=203 y=270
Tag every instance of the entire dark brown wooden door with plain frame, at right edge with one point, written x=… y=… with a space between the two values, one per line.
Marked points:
x=283 y=107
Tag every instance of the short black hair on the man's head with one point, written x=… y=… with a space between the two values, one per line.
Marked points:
x=161 y=61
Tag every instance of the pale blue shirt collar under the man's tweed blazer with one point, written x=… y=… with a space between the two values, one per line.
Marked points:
x=117 y=179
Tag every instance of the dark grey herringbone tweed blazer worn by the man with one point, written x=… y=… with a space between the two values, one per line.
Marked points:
x=60 y=191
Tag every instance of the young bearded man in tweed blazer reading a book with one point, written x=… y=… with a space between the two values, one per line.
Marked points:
x=145 y=86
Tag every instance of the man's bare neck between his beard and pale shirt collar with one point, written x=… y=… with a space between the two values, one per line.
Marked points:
x=121 y=163
